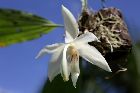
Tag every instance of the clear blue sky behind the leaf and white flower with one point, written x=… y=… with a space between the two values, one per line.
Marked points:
x=19 y=71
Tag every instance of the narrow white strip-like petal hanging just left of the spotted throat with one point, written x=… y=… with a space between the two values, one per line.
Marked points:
x=64 y=65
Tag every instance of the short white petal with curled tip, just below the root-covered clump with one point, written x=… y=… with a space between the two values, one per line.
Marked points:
x=86 y=37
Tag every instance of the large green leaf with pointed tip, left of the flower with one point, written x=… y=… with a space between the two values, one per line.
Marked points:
x=17 y=26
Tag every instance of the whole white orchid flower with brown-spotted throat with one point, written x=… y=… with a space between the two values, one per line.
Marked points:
x=65 y=56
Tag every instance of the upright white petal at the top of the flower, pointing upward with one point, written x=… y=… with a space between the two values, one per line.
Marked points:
x=71 y=26
